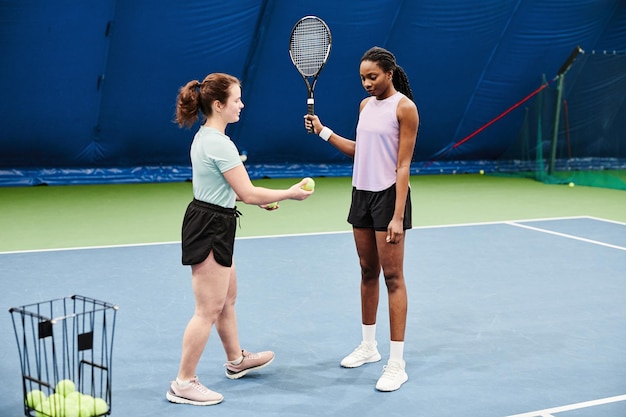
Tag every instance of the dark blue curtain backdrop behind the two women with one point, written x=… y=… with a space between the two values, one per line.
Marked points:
x=89 y=88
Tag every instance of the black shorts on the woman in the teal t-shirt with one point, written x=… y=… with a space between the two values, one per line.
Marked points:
x=206 y=228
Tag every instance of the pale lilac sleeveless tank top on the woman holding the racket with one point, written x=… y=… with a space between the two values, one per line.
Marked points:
x=377 y=138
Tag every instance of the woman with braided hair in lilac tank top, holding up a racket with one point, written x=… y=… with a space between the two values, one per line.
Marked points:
x=380 y=211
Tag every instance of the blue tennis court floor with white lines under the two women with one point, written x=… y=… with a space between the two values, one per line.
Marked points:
x=520 y=318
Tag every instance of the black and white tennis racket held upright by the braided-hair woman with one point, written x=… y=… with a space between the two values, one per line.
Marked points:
x=309 y=48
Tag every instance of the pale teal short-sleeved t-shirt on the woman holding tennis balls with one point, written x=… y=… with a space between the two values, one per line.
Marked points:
x=212 y=154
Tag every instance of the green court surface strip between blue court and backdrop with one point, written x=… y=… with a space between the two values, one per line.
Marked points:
x=51 y=217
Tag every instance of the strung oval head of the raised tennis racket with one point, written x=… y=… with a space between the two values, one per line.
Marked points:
x=309 y=46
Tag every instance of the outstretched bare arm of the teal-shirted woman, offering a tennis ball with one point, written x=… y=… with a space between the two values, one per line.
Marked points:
x=247 y=192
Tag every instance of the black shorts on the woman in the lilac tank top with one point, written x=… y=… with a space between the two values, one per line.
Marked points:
x=374 y=209
